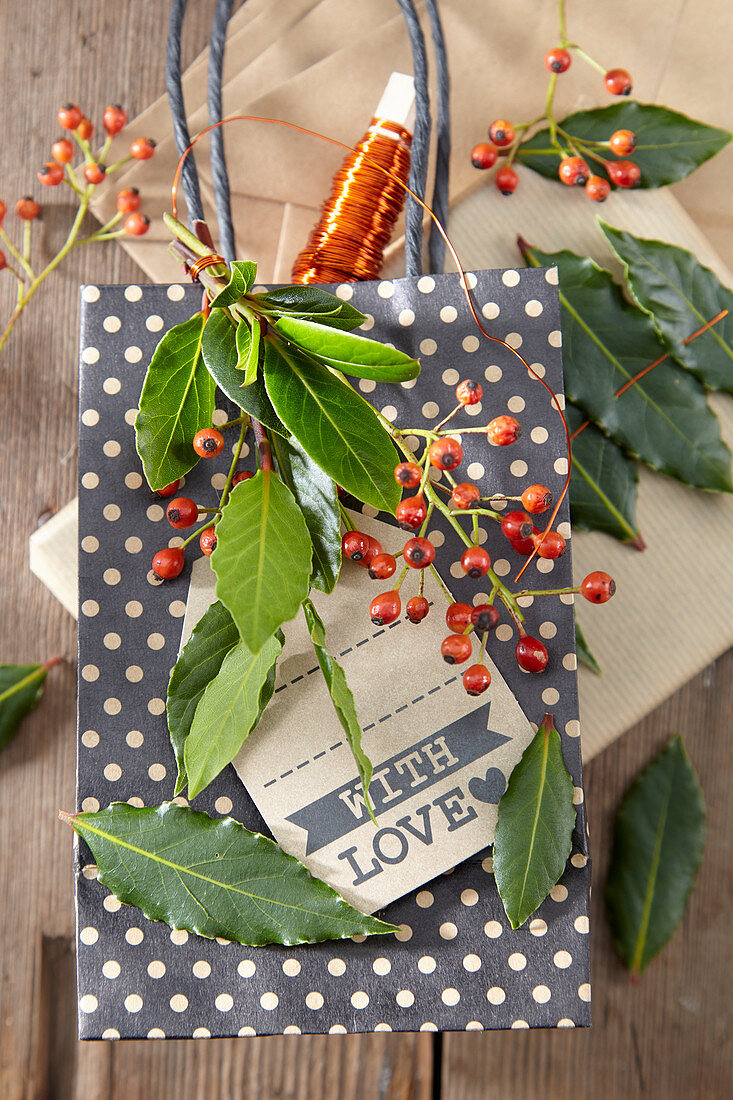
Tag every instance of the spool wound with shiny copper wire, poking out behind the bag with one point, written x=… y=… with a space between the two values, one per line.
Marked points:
x=357 y=221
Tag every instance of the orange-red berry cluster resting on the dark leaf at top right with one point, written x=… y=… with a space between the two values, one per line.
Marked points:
x=506 y=139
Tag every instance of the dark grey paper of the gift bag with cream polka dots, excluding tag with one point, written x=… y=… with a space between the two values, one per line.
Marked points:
x=456 y=964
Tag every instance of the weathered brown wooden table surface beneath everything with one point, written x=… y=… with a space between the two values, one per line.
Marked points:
x=668 y=1038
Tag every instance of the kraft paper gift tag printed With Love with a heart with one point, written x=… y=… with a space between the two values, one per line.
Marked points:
x=442 y=760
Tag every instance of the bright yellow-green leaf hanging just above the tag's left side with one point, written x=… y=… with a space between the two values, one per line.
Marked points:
x=262 y=558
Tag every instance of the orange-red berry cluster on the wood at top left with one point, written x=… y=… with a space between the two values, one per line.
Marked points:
x=54 y=172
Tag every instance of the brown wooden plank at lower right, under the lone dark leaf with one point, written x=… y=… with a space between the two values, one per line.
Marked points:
x=670 y=1037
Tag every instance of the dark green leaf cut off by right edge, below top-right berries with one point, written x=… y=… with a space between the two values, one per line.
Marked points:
x=682 y=296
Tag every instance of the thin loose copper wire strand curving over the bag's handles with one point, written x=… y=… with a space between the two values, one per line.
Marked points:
x=450 y=246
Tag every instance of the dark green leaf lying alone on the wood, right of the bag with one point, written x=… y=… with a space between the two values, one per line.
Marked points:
x=659 y=841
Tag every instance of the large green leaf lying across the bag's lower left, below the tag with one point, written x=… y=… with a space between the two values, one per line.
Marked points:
x=214 y=878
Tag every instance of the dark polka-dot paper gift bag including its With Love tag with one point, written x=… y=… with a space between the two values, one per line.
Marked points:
x=455 y=962
